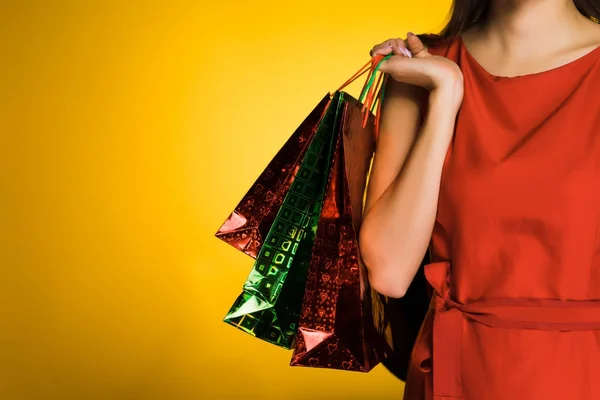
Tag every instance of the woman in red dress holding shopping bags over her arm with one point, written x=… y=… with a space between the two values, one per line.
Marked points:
x=489 y=155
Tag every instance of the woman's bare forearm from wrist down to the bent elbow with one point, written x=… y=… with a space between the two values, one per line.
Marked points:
x=396 y=231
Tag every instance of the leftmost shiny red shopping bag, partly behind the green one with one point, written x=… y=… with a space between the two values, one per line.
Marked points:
x=248 y=224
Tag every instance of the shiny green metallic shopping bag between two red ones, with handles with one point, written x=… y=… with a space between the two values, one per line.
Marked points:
x=269 y=306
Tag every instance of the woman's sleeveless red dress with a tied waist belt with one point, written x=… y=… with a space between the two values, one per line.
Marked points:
x=515 y=250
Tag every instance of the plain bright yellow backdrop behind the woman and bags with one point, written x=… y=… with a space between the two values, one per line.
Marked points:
x=129 y=131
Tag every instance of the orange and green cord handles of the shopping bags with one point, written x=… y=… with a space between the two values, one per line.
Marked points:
x=373 y=91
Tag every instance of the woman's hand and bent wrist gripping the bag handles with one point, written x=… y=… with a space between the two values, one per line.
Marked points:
x=411 y=63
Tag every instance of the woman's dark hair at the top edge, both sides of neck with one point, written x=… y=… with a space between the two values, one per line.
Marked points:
x=468 y=13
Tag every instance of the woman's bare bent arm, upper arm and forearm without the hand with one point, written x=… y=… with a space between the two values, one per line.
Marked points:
x=403 y=191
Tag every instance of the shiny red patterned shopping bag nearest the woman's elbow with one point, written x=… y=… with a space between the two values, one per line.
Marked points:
x=344 y=324
